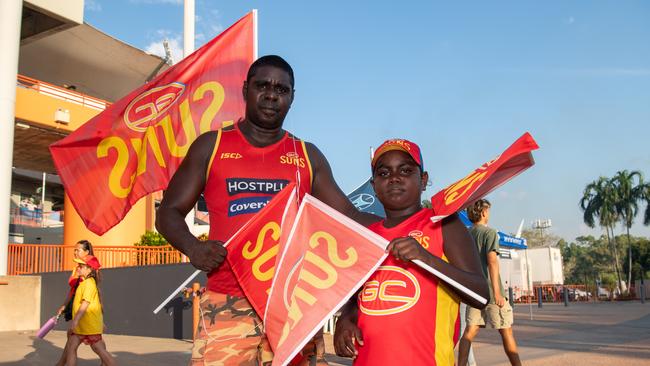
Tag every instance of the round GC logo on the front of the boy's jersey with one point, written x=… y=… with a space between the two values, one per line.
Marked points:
x=392 y=290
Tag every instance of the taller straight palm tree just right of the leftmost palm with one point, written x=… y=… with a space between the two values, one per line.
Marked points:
x=627 y=206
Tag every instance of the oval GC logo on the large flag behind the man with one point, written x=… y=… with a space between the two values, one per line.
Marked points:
x=145 y=109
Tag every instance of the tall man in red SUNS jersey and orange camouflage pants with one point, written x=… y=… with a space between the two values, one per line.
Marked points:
x=239 y=169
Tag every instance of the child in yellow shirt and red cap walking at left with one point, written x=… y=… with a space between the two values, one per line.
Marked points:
x=87 y=314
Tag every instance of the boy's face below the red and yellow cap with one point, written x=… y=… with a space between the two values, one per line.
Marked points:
x=397 y=181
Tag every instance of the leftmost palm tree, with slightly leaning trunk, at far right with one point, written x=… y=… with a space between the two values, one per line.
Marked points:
x=599 y=203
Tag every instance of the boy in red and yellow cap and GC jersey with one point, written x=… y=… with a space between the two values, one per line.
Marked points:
x=403 y=314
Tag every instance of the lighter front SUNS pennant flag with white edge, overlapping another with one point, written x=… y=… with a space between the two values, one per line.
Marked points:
x=326 y=258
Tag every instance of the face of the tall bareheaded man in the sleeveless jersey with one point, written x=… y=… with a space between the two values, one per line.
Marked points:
x=268 y=95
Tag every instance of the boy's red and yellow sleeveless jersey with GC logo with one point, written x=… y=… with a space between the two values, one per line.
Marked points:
x=406 y=316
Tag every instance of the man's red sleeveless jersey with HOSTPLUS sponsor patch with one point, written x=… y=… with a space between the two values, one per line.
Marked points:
x=241 y=180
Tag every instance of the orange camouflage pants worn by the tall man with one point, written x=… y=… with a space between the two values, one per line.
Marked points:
x=231 y=333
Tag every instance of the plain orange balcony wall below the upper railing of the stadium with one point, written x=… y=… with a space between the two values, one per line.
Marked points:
x=39 y=108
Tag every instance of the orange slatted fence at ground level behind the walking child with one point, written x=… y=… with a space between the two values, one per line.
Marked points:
x=38 y=258
